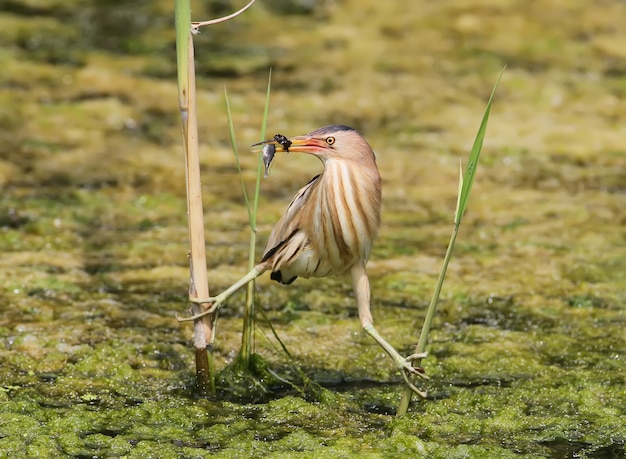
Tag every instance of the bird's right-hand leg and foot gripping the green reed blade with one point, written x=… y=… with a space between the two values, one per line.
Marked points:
x=361 y=286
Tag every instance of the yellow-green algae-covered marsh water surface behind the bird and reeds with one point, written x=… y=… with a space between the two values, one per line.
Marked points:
x=528 y=349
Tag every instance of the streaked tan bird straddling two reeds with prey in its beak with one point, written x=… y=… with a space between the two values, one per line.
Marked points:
x=329 y=227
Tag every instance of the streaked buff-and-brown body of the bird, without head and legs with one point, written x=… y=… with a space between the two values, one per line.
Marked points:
x=329 y=225
